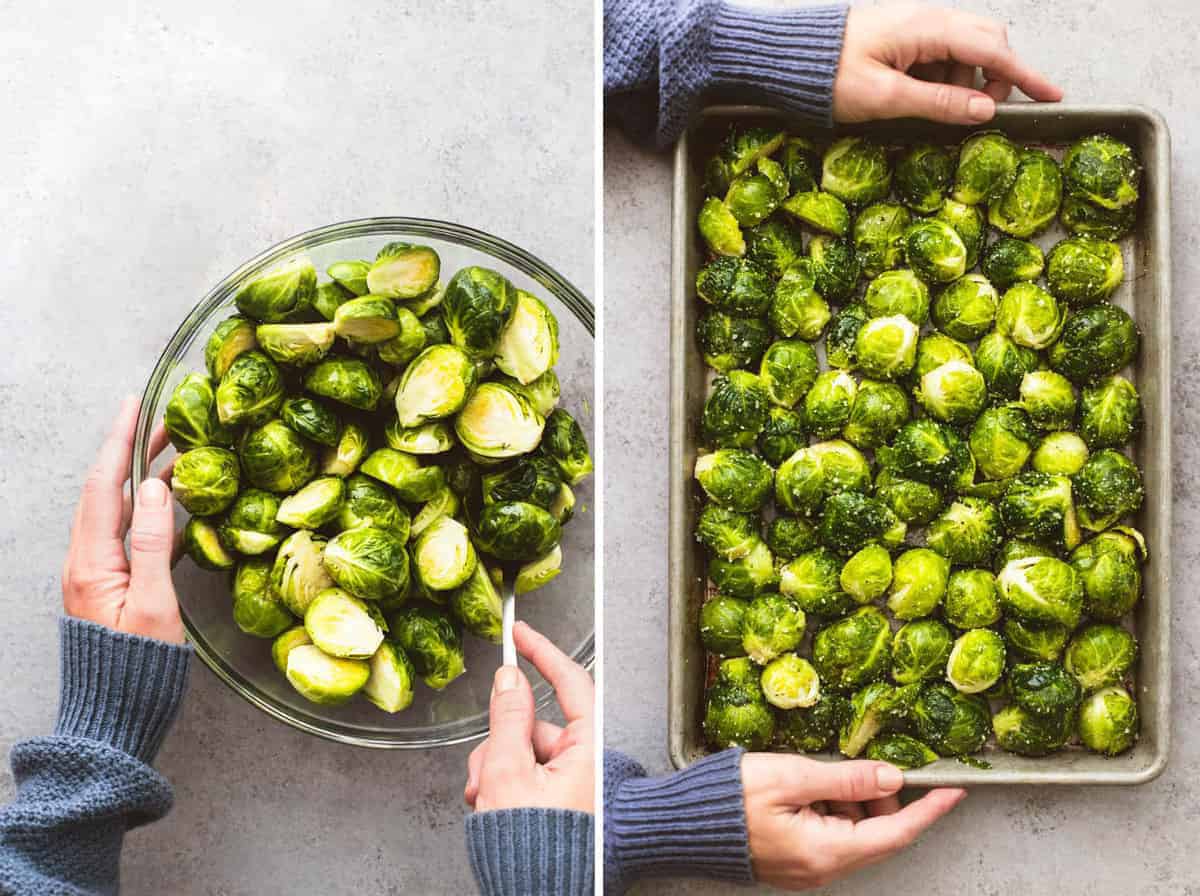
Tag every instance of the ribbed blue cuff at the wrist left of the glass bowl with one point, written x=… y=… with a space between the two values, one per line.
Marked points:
x=119 y=689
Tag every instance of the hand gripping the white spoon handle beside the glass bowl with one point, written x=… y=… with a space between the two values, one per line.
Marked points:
x=529 y=762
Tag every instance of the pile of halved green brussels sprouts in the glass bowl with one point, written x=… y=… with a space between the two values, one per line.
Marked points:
x=368 y=459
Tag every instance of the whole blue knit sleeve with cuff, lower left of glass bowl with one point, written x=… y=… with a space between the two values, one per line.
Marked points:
x=82 y=789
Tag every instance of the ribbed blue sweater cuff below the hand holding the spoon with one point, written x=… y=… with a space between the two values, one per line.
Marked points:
x=532 y=852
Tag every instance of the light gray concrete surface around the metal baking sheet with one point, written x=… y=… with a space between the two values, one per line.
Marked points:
x=999 y=843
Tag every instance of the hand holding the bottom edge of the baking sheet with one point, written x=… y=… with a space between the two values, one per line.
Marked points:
x=813 y=822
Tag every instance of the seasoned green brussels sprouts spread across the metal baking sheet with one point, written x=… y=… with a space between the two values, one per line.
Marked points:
x=916 y=479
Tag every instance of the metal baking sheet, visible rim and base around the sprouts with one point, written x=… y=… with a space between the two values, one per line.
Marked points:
x=1145 y=294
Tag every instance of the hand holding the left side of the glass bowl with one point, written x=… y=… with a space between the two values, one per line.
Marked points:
x=130 y=594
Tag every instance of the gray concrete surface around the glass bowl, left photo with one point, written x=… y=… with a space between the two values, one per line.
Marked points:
x=149 y=149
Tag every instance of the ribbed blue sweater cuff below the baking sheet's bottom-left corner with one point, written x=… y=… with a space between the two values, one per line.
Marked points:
x=688 y=825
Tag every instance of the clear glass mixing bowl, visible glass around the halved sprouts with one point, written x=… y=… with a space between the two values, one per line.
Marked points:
x=563 y=610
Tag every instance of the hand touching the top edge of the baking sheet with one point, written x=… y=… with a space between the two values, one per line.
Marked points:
x=920 y=62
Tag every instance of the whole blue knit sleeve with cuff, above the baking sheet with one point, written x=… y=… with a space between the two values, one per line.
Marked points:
x=663 y=59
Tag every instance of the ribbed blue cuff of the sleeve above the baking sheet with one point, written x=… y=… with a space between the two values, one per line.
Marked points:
x=787 y=59
